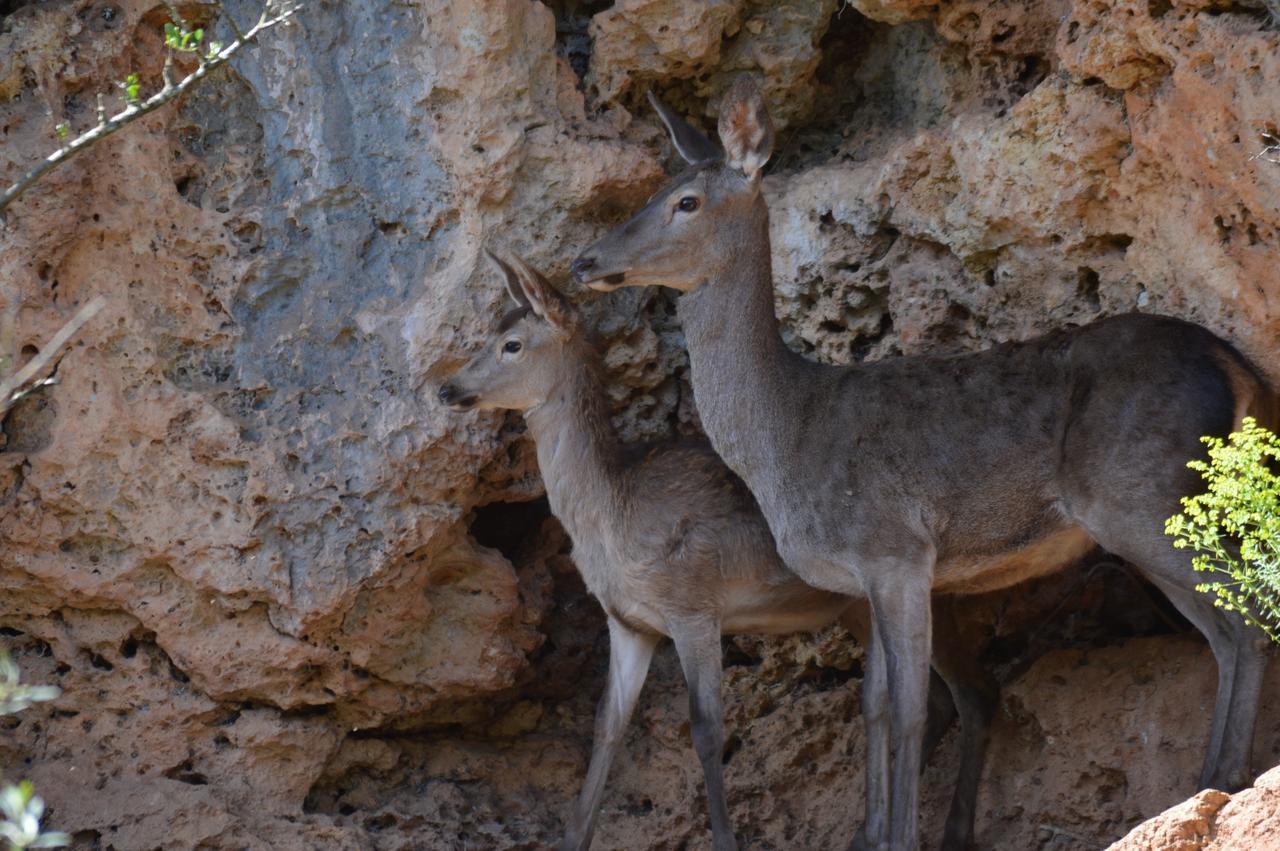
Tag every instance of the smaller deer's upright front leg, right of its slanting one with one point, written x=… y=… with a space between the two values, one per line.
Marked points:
x=698 y=646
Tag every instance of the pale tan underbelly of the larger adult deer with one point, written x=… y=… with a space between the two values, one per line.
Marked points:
x=982 y=574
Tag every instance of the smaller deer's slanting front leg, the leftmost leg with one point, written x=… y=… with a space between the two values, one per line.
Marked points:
x=630 y=655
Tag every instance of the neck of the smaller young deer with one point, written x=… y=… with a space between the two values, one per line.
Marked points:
x=578 y=451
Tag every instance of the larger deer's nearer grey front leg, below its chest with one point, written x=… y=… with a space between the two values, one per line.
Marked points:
x=902 y=623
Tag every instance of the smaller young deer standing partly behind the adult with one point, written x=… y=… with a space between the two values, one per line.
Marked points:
x=671 y=543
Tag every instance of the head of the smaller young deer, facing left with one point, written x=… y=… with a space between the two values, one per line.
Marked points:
x=523 y=360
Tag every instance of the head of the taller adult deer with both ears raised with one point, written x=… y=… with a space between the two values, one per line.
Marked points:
x=705 y=216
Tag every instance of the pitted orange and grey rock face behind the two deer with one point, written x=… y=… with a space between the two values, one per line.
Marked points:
x=295 y=603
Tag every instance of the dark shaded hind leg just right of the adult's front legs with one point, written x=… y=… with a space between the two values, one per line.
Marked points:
x=976 y=696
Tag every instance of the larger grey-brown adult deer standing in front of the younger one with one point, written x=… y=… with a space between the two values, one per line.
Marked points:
x=936 y=474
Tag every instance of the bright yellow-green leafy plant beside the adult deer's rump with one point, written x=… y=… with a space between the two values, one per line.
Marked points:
x=1236 y=525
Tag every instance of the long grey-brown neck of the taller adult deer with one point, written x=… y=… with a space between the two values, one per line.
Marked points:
x=746 y=379
